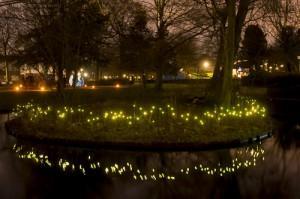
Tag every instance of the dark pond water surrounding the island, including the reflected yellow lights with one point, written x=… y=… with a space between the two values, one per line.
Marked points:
x=264 y=170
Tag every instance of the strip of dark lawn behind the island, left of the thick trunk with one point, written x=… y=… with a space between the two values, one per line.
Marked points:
x=171 y=92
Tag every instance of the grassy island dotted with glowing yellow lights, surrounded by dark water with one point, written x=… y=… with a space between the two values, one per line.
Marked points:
x=135 y=126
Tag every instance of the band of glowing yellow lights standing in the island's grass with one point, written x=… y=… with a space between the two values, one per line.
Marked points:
x=151 y=115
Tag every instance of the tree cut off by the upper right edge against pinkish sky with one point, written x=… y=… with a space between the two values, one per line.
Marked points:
x=283 y=19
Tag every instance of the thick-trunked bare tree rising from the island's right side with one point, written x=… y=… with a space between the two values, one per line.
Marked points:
x=228 y=19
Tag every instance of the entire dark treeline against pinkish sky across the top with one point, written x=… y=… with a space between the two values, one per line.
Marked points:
x=155 y=36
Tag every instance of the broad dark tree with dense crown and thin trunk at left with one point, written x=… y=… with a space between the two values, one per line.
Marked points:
x=62 y=34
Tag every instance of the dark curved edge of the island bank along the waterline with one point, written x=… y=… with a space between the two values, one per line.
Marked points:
x=13 y=130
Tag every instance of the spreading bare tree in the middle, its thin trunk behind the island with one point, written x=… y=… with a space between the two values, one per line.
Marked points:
x=163 y=28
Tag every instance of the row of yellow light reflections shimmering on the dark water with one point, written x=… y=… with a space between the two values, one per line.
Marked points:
x=242 y=159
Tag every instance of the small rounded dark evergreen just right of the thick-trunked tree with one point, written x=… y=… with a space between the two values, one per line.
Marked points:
x=254 y=46
